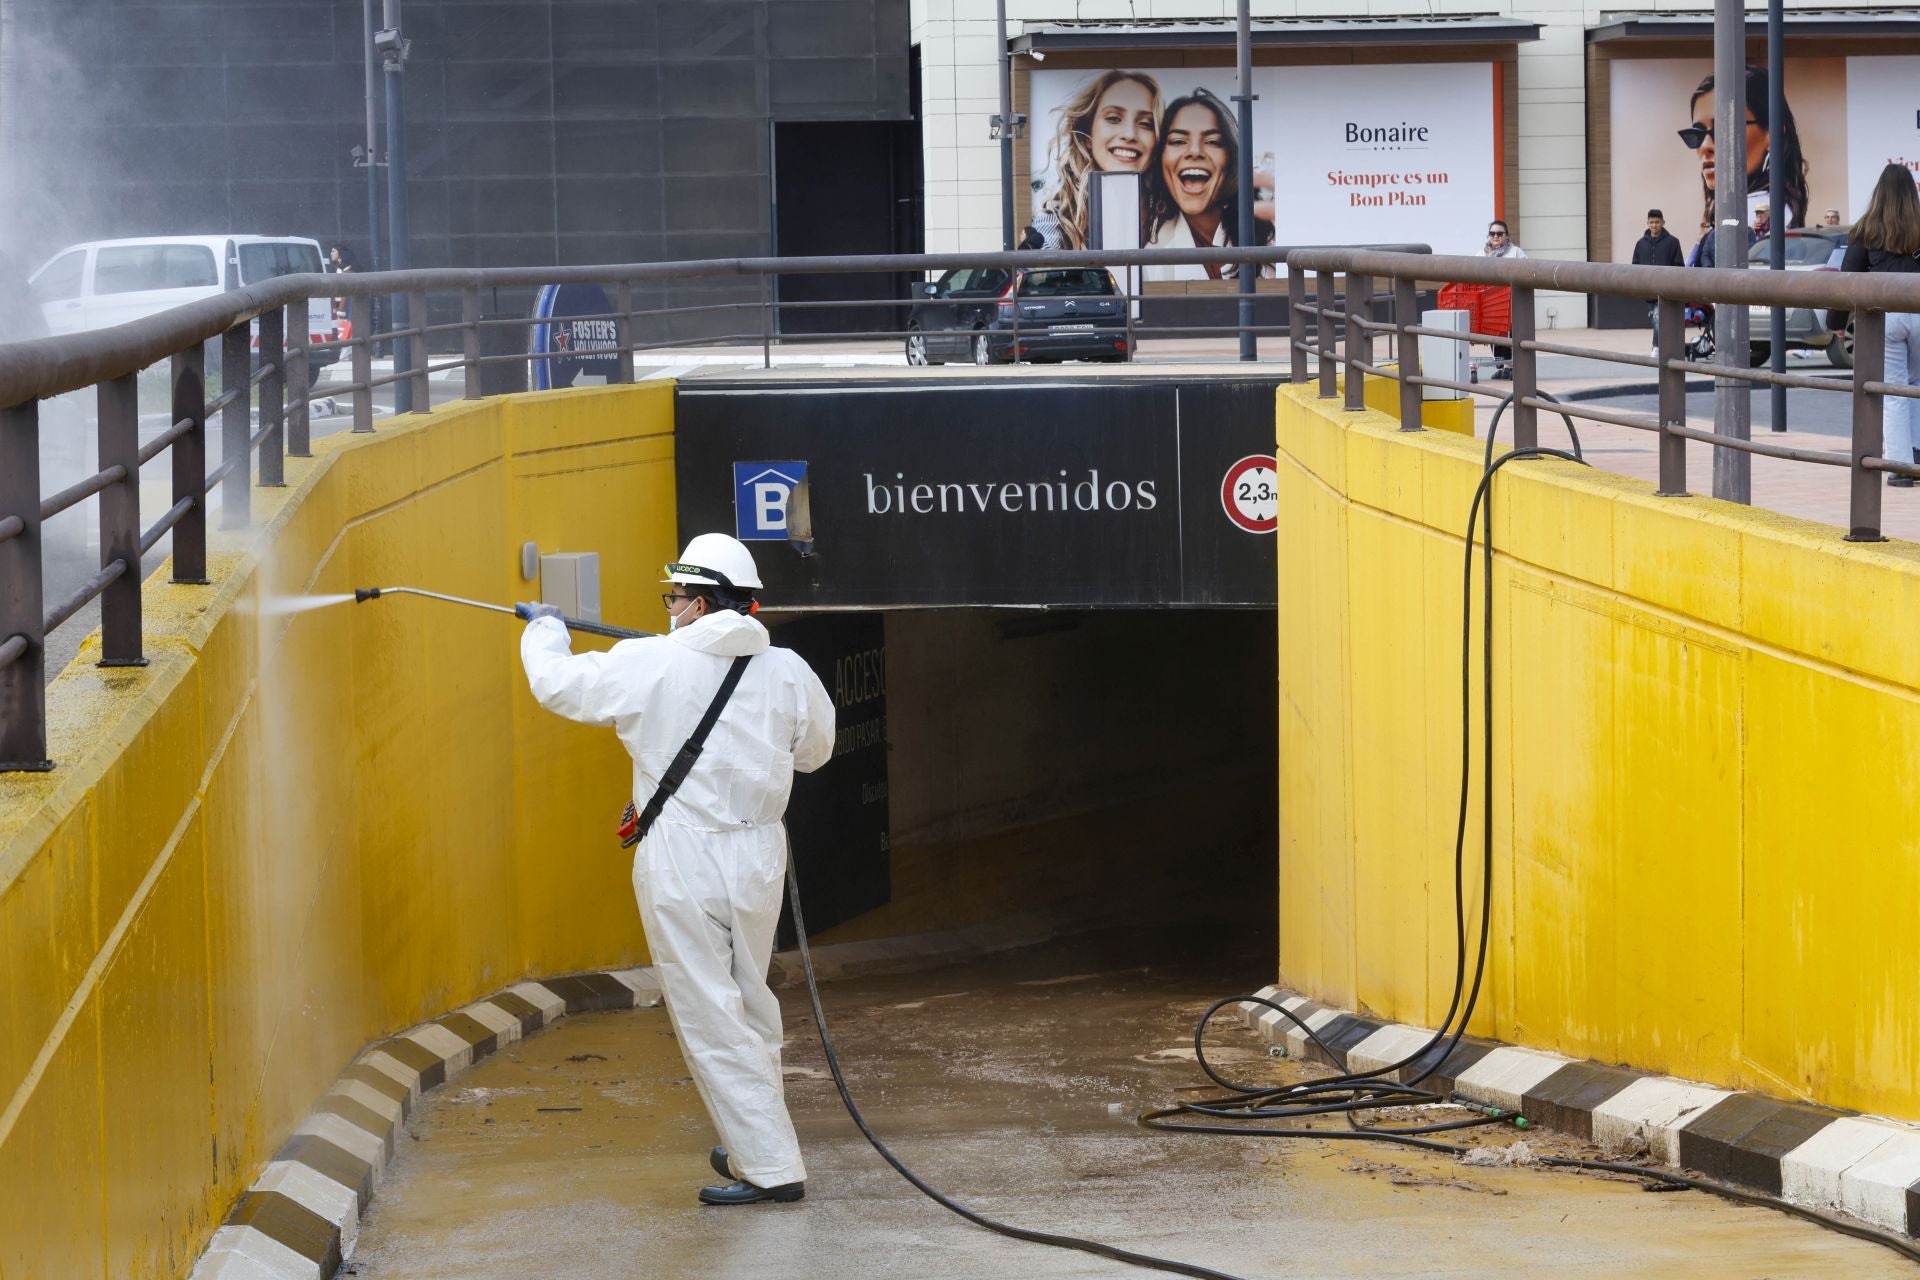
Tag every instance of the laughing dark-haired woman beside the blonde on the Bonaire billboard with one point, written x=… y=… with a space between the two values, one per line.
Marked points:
x=1193 y=193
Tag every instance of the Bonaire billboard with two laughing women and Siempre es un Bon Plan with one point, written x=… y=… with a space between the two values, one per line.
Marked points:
x=1418 y=166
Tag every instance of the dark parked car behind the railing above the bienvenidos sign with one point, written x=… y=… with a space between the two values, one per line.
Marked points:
x=1065 y=314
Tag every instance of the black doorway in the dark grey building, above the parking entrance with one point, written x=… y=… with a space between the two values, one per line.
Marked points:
x=846 y=187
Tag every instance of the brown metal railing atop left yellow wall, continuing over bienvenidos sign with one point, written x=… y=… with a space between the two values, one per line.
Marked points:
x=274 y=320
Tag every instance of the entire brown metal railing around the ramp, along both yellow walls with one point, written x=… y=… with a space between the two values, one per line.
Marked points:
x=1326 y=323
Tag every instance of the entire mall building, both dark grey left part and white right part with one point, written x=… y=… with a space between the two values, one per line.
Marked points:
x=592 y=131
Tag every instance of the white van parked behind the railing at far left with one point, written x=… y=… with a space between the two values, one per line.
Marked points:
x=114 y=281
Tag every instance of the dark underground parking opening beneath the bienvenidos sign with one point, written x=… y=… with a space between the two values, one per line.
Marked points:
x=1049 y=774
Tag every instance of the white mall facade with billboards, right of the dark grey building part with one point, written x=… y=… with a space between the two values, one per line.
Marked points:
x=1395 y=122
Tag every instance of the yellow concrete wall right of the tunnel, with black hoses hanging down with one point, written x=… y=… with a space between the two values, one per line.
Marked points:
x=1708 y=717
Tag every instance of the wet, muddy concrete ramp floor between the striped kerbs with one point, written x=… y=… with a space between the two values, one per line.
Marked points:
x=1011 y=1083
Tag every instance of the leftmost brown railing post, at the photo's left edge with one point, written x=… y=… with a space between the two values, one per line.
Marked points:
x=22 y=604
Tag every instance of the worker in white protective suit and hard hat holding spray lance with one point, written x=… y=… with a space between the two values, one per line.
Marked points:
x=709 y=870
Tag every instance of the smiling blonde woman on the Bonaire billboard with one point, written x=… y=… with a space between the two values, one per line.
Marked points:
x=1107 y=128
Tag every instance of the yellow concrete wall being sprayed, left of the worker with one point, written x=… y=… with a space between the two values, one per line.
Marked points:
x=293 y=834
